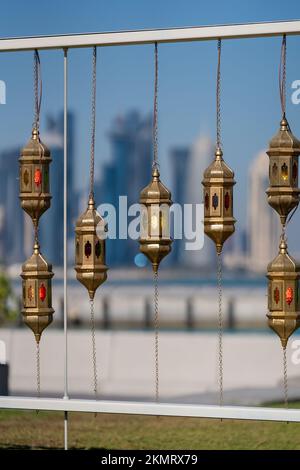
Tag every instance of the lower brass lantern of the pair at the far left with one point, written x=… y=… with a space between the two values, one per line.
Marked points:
x=37 y=294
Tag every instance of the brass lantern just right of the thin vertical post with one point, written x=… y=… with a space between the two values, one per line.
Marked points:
x=90 y=249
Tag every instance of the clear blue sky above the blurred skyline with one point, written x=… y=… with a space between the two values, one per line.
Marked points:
x=250 y=102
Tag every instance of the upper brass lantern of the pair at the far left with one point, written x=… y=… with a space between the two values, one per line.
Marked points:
x=34 y=177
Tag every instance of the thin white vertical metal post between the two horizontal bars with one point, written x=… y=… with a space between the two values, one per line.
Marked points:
x=65 y=243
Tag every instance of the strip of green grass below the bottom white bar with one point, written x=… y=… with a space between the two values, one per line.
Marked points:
x=27 y=429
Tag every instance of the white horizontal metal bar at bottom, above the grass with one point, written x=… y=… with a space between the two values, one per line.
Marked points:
x=148 y=408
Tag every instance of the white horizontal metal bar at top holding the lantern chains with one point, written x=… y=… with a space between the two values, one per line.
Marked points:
x=234 y=31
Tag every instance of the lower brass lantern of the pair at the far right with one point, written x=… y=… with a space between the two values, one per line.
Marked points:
x=283 y=294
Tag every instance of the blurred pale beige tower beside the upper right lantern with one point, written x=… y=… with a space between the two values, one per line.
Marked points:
x=264 y=225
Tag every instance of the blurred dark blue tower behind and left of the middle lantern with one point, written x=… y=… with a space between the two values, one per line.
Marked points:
x=126 y=174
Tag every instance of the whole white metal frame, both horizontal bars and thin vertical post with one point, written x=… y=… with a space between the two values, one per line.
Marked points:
x=65 y=42
